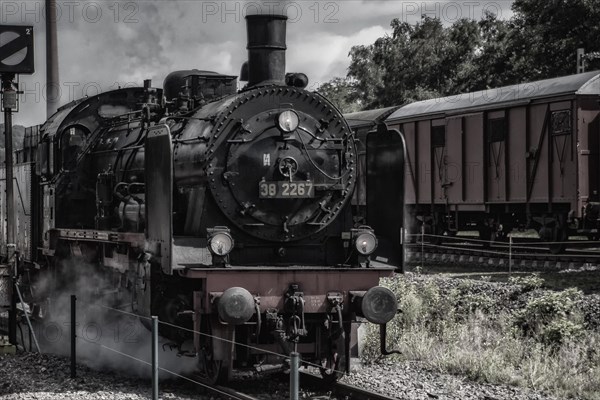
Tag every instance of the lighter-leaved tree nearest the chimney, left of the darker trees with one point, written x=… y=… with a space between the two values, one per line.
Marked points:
x=416 y=62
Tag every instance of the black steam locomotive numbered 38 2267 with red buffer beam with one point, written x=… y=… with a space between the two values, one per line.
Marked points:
x=227 y=212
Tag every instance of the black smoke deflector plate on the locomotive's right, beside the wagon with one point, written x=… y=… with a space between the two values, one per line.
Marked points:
x=385 y=202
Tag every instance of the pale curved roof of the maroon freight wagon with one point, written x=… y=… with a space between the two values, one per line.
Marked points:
x=586 y=83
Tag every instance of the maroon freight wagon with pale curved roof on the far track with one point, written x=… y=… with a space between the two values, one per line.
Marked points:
x=518 y=156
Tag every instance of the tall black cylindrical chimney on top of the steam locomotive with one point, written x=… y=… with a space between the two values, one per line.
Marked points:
x=266 y=49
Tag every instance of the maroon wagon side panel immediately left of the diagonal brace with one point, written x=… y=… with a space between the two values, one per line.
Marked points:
x=517 y=149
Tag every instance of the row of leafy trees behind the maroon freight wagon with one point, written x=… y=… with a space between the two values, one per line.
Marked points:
x=427 y=59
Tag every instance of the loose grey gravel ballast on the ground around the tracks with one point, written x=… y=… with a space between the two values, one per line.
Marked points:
x=26 y=376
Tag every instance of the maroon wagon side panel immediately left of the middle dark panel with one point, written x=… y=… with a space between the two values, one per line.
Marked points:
x=474 y=162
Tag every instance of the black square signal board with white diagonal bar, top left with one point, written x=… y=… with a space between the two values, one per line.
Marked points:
x=16 y=49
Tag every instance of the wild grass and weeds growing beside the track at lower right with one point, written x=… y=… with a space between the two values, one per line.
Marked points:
x=542 y=344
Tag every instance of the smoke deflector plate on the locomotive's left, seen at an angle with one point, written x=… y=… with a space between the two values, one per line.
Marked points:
x=159 y=195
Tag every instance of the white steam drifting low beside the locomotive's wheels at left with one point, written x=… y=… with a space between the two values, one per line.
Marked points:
x=107 y=338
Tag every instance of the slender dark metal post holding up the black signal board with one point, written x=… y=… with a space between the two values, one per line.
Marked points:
x=9 y=103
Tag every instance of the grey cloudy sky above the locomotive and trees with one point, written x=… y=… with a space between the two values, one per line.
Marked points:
x=106 y=44
